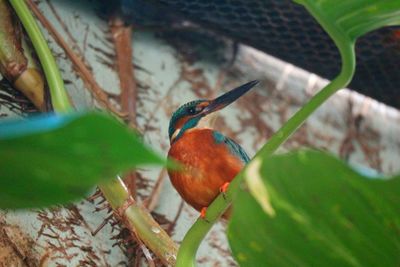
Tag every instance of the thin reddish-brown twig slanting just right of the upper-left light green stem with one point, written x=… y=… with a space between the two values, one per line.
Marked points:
x=82 y=70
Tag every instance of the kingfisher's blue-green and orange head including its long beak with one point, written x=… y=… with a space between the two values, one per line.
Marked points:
x=190 y=115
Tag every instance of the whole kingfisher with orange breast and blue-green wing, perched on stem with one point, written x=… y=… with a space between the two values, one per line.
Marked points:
x=210 y=160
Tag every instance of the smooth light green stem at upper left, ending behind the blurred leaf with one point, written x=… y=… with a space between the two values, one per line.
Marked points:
x=59 y=97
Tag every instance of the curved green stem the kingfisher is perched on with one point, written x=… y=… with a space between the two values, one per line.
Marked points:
x=193 y=238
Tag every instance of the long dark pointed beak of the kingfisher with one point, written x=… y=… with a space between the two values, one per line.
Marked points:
x=229 y=97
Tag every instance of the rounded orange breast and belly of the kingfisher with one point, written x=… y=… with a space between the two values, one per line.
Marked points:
x=208 y=166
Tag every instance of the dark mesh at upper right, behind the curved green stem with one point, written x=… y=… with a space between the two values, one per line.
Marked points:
x=286 y=30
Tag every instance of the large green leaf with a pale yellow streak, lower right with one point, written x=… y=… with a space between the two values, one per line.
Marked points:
x=310 y=209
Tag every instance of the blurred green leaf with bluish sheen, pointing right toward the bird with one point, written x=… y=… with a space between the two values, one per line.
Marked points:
x=55 y=159
